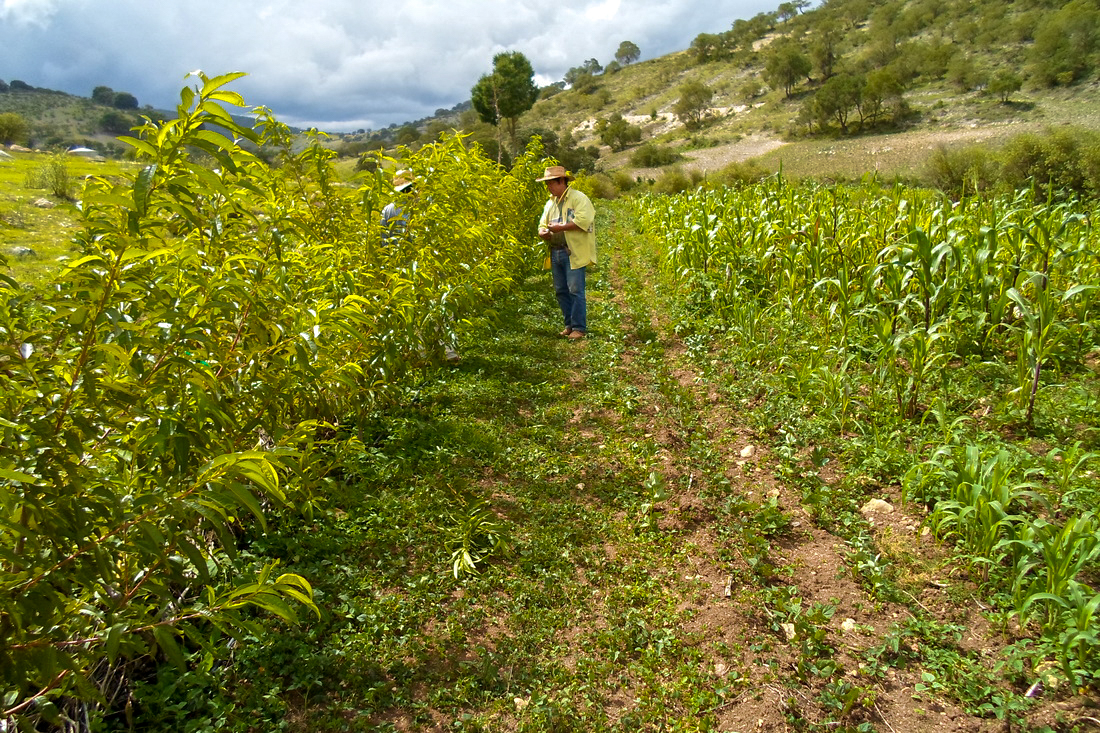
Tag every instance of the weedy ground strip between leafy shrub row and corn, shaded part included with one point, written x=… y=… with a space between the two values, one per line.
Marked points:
x=644 y=561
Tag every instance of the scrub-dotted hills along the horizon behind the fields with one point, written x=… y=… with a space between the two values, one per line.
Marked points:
x=846 y=89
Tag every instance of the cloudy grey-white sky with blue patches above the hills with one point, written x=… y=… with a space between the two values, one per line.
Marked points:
x=338 y=65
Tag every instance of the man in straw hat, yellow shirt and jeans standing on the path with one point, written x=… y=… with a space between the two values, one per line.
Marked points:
x=568 y=226
